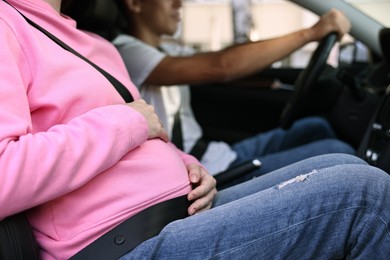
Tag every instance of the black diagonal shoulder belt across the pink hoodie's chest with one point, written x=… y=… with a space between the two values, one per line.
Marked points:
x=122 y=90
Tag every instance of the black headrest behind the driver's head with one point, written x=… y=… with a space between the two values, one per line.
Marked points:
x=99 y=16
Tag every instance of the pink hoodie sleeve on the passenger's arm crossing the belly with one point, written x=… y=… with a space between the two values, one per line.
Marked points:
x=38 y=166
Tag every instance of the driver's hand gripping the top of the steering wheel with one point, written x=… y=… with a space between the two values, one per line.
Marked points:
x=332 y=21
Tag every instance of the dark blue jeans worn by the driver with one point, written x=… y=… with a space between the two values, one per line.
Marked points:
x=277 y=148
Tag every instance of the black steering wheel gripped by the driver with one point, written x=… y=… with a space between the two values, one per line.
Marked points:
x=307 y=80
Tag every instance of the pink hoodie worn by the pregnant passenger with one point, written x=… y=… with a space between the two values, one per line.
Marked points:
x=68 y=145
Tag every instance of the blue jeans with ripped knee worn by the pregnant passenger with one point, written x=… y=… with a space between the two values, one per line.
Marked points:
x=325 y=207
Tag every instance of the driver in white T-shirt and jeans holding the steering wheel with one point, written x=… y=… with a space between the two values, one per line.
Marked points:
x=163 y=73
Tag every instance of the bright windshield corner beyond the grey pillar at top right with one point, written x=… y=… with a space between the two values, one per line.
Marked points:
x=377 y=9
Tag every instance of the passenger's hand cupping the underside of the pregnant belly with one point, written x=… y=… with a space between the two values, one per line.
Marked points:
x=204 y=189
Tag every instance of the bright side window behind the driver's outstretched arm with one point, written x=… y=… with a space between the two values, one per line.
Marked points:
x=216 y=28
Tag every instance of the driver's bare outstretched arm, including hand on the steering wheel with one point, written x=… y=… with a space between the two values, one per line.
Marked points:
x=244 y=59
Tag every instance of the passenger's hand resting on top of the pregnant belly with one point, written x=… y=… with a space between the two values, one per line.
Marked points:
x=156 y=129
